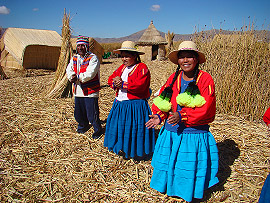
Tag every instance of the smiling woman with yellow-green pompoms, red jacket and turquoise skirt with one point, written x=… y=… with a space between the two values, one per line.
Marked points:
x=185 y=159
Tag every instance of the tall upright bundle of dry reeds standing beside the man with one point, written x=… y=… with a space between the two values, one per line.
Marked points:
x=60 y=83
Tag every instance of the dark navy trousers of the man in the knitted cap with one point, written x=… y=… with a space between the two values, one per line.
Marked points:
x=87 y=110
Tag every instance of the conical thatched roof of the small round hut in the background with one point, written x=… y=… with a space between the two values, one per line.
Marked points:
x=151 y=36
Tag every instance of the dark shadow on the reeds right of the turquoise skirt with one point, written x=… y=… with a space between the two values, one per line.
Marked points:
x=228 y=153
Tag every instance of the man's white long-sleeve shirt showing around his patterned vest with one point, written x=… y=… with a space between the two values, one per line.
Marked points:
x=92 y=69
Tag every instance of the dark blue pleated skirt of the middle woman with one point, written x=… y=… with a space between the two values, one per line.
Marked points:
x=126 y=131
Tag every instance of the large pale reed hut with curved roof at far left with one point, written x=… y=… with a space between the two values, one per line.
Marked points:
x=30 y=48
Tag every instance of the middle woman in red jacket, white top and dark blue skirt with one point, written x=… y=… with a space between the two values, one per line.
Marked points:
x=126 y=133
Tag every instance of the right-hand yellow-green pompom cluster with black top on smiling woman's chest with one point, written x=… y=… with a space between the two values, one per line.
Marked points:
x=191 y=97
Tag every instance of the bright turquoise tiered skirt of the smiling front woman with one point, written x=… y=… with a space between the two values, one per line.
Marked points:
x=184 y=164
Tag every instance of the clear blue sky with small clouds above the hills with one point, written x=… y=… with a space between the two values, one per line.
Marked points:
x=120 y=18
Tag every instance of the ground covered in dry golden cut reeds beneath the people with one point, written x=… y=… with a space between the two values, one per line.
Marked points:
x=43 y=159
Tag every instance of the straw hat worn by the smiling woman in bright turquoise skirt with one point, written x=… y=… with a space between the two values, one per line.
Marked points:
x=185 y=46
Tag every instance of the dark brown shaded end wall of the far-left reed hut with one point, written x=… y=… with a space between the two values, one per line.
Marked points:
x=39 y=56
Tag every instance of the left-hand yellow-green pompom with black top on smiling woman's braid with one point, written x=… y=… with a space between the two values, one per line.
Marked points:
x=163 y=100
